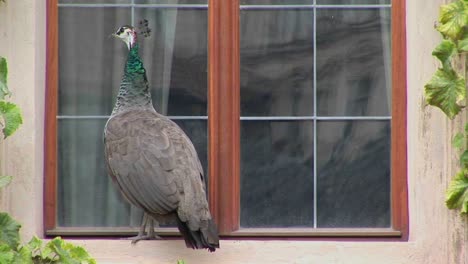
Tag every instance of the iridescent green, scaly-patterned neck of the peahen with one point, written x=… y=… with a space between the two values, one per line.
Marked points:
x=134 y=92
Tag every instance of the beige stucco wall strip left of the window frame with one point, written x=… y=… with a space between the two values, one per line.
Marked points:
x=22 y=42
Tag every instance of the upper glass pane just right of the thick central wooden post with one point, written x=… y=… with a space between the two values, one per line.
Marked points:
x=276 y=62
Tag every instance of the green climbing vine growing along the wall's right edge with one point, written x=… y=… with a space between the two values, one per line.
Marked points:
x=448 y=87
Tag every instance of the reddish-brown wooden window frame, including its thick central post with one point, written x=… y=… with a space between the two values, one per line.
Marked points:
x=224 y=126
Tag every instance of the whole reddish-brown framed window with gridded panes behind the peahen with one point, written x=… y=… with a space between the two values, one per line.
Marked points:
x=296 y=108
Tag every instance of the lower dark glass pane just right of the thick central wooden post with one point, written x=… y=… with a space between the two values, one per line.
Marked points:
x=276 y=174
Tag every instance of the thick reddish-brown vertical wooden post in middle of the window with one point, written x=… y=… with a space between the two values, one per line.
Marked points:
x=224 y=113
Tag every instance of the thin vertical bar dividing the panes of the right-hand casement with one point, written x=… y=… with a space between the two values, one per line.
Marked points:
x=315 y=113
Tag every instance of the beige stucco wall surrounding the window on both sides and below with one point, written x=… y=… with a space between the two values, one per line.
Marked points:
x=437 y=235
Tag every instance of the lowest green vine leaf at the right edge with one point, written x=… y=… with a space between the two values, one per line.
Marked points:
x=457 y=193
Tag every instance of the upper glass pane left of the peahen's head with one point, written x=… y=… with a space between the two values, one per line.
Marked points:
x=90 y=63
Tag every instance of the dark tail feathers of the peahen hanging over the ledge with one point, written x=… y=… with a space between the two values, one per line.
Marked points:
x=200 y=239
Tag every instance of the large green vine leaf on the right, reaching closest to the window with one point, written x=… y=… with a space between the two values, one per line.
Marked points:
x=446 y=90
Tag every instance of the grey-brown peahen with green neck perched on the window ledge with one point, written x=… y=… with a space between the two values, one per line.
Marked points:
x=153 y=162
